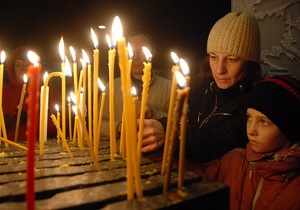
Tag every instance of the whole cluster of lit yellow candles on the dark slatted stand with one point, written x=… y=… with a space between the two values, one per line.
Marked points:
x=130 y=142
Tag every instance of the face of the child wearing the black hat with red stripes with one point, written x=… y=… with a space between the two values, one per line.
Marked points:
x=264 y=136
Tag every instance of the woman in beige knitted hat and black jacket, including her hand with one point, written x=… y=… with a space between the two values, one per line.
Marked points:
x=216 y=118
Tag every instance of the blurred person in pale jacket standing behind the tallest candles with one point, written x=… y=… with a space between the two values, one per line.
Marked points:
x=159 y=88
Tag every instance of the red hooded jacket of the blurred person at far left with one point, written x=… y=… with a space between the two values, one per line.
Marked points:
x=11 y=98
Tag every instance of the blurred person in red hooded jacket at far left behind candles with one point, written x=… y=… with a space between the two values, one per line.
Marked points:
x=17 y=67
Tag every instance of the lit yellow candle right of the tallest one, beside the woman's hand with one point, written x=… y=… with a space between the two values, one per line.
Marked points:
x=146 y=81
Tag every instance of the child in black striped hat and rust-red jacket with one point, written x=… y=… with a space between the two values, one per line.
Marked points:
x=265 y=175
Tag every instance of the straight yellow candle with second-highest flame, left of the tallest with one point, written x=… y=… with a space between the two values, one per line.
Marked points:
x=95 y=83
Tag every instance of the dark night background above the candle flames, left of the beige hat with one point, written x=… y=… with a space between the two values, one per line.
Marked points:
x=179 y=26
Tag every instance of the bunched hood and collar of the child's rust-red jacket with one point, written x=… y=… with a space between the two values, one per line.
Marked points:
x=277 y=166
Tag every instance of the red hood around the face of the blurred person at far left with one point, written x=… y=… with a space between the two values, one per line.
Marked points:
x=19 y=53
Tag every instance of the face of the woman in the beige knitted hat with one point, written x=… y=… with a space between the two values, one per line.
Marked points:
x=227 y=69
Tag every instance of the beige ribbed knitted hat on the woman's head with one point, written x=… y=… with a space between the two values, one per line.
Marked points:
x=237 y=34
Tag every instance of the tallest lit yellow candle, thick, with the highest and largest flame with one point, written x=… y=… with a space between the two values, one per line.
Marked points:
x=133 y=169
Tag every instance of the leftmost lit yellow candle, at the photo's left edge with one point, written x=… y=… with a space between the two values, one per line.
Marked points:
x=2 y=127
